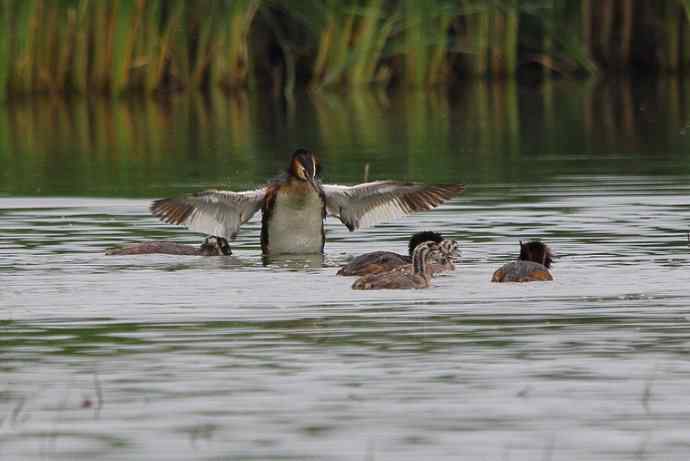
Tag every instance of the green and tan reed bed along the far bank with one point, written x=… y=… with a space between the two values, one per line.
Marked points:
x=115 y=47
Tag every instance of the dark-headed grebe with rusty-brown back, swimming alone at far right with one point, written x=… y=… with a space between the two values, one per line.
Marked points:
x=532 y=265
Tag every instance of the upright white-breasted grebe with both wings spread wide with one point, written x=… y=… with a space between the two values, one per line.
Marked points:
x=294 y=206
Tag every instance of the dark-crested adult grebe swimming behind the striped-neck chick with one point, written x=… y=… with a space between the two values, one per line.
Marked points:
x=383 y=261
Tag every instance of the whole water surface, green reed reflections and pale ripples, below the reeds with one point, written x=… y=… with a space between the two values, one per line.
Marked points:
x=176 y=358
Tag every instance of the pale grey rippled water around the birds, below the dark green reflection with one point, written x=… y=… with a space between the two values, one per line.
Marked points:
x=217 y=358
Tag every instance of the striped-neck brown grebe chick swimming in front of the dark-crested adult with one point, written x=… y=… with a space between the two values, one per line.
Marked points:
x=402 y=277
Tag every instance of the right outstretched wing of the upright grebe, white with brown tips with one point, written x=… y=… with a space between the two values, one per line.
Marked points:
x=369 y=203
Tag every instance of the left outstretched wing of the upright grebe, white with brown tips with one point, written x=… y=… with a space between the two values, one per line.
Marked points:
x=212 y=212
